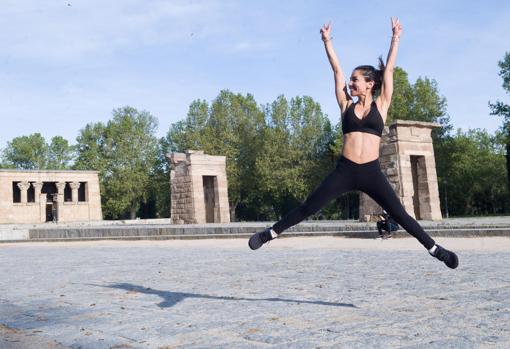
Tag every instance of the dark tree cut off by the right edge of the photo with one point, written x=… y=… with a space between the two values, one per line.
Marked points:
x=502 y=109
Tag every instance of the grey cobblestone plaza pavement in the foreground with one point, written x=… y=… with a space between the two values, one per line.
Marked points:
x=295 y=293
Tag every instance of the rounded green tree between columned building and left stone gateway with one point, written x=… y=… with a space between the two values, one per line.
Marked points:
x=125 y=152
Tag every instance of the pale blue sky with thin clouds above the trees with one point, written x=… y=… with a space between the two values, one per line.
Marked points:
x=69 y=63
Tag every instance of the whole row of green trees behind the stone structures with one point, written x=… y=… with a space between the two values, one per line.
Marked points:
x=276 y=153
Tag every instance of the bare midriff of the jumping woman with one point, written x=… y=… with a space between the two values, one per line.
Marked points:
x=361 y=147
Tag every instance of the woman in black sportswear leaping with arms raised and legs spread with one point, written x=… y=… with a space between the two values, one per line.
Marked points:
x=358 y=168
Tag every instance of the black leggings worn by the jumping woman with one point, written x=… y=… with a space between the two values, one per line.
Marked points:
x=367 y=178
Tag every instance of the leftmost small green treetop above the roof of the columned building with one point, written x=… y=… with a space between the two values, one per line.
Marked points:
x=26 y=152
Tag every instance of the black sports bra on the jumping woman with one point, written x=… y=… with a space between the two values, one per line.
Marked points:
x=372 y=123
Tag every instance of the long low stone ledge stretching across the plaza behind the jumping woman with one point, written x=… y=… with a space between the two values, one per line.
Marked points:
x=162 y=229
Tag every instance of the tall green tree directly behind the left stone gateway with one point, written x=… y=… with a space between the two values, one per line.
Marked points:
x=231 y=126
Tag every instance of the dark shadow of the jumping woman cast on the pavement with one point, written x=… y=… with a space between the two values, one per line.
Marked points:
x=172 y=298
